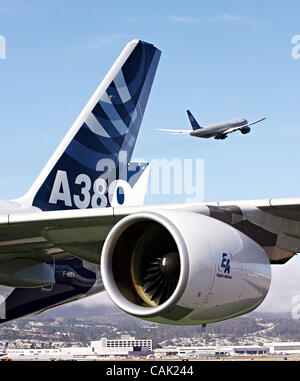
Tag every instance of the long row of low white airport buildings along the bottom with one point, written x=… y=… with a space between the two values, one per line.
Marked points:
x=130 y=347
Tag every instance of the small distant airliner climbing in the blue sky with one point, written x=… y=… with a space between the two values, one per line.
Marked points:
x=218 y=130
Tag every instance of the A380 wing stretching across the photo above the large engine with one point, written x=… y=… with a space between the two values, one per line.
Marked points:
x=273 y=223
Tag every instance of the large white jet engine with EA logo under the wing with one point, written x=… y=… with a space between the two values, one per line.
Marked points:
x=180 y=267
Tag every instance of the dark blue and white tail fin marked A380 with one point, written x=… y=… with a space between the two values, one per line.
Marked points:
x=91 y=167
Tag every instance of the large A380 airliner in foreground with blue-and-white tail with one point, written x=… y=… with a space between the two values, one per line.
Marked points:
x=82 y=227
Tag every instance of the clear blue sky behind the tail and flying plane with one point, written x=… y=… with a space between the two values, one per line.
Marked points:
x=220 y=59
